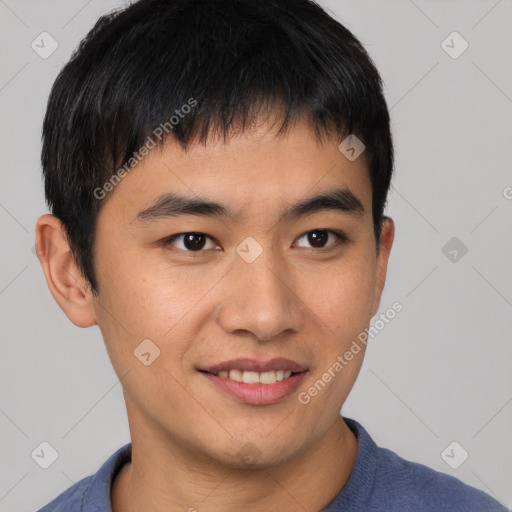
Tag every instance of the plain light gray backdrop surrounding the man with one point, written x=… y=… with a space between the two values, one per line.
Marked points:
x=439 y=372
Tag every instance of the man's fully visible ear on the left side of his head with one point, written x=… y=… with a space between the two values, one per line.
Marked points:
x=66 y=283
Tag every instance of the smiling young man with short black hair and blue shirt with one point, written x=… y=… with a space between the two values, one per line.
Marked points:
x=217 y=172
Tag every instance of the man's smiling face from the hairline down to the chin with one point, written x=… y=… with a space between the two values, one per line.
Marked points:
x=250 y=278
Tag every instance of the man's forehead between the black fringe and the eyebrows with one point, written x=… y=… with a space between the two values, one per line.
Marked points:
x=255 y=171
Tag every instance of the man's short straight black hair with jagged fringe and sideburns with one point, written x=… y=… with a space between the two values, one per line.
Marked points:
x=228 y=61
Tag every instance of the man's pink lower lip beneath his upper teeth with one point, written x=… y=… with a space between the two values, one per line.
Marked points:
x=257 y=394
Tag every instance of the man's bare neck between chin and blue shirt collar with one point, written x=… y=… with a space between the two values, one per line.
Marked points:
x=164 y=476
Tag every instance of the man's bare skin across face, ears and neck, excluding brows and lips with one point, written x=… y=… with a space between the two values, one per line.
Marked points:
x=202 y=308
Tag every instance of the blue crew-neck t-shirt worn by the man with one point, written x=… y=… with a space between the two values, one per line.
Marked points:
x=380 y=481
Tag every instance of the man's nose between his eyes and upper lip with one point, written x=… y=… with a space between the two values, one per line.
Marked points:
x=260 y=299
